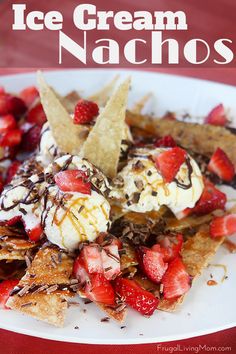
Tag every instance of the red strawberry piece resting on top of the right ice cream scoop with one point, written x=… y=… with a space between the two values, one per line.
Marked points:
x=169 y=162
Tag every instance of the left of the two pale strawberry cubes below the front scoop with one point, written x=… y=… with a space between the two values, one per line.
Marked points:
x=91 y=255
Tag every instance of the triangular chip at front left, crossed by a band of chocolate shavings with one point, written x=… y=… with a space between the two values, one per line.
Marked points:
x=43 y=290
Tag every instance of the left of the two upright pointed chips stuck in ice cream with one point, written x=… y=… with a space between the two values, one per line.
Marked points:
x=69 y=136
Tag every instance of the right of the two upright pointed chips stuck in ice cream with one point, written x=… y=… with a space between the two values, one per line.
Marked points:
x=102 y=147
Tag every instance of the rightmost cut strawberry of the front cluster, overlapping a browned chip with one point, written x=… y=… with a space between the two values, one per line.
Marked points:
x=176 y=280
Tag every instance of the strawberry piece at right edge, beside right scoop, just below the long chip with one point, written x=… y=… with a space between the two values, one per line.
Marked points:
x=221 y=165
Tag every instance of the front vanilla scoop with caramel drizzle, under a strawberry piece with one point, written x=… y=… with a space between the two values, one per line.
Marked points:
x=72 y=217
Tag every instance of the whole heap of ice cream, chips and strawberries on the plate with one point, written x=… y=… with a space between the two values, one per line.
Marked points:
x=104 y=203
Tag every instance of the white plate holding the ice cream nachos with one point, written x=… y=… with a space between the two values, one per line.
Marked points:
x=207 y=309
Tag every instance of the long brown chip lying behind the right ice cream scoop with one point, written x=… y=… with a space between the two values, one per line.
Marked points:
x=203 y=139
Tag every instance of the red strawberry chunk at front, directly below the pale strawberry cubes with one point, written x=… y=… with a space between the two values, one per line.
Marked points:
x=99 y=289
